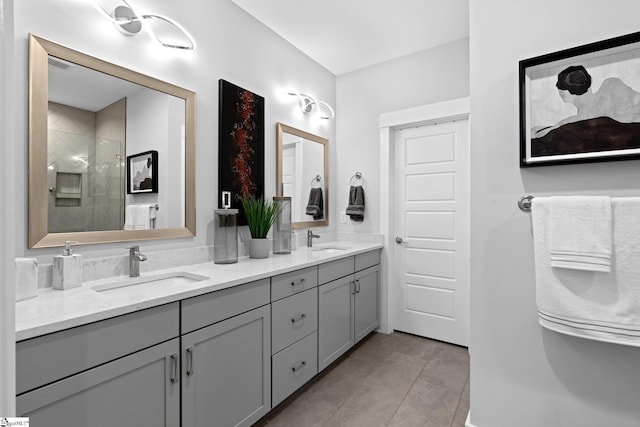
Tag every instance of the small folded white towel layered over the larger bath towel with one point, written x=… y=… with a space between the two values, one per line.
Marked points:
x=581 y=233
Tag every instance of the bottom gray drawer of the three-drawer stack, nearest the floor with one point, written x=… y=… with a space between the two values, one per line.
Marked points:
x=293 y=367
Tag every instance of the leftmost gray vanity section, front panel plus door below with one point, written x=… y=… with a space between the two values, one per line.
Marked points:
x=134 y=387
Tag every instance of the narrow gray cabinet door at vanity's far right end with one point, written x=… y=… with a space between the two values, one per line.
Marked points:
x=367 y=311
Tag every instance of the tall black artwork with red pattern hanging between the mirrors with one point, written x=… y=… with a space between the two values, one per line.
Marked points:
x=240 y=146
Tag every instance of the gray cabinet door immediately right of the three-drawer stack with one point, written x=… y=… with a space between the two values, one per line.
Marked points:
x=335 y=320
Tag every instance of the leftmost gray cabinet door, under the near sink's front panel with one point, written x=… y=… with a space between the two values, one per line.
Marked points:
x=141 y=389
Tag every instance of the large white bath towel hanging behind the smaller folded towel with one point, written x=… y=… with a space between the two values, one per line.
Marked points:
x=591 y=304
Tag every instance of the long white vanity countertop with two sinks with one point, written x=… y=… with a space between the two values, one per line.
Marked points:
x=54 y=310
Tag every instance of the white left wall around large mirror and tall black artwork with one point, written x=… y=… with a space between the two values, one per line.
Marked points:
x=230 y=45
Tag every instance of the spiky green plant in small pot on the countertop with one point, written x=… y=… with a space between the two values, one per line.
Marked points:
x=260 y=214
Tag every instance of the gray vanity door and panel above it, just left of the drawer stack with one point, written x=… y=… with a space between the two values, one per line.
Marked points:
x=226 y=366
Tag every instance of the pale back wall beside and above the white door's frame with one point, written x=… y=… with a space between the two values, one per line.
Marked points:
x=427 y=77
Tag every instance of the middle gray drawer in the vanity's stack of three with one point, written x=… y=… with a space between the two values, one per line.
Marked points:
x=293 y=318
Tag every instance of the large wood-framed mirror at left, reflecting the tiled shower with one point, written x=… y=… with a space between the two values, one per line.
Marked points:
x=93 y=123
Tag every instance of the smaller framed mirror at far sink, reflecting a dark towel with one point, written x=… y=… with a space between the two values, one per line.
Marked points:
x=302 y=173
